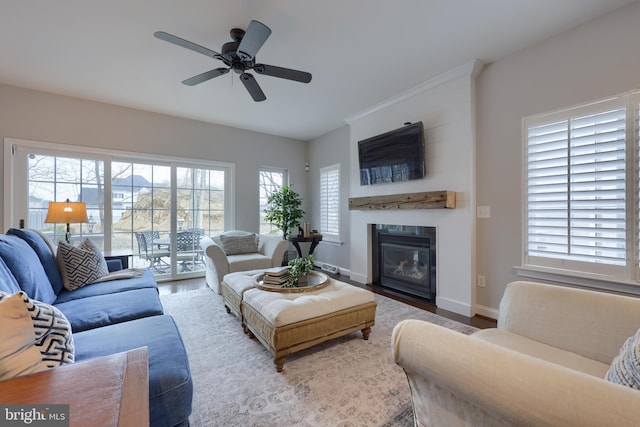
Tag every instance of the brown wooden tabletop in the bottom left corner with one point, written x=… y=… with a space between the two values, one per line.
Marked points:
x=103 y=392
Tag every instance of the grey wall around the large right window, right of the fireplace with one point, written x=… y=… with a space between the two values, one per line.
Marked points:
x=591 y=61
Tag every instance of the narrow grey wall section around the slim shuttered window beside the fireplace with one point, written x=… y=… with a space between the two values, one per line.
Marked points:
x=328 y=150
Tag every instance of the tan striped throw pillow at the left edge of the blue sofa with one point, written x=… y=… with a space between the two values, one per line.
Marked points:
x=18 y=353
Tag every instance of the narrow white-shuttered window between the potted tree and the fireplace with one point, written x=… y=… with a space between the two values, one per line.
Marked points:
x=330 y=202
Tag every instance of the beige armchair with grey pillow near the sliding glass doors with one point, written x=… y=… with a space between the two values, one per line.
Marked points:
x=236 y=250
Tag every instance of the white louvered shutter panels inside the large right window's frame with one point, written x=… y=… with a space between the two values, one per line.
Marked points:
x=576 y=188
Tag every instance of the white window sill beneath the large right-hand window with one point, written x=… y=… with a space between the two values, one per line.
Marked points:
x=602 y=283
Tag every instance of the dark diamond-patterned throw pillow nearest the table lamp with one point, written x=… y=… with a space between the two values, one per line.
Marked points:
x=80 y=265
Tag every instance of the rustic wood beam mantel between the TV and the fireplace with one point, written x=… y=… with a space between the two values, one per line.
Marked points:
x=426 y=200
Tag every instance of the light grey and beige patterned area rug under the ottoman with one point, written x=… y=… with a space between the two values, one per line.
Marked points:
x=344 y=382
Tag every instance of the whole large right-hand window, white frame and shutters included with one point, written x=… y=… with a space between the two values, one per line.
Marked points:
x=581 y=206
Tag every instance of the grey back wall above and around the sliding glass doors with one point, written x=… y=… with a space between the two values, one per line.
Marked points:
x=40 y=116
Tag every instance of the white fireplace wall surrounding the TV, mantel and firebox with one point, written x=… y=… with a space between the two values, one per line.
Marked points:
x=446 y=107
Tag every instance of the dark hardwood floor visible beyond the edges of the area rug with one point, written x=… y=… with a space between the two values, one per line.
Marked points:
x=172 y=287
